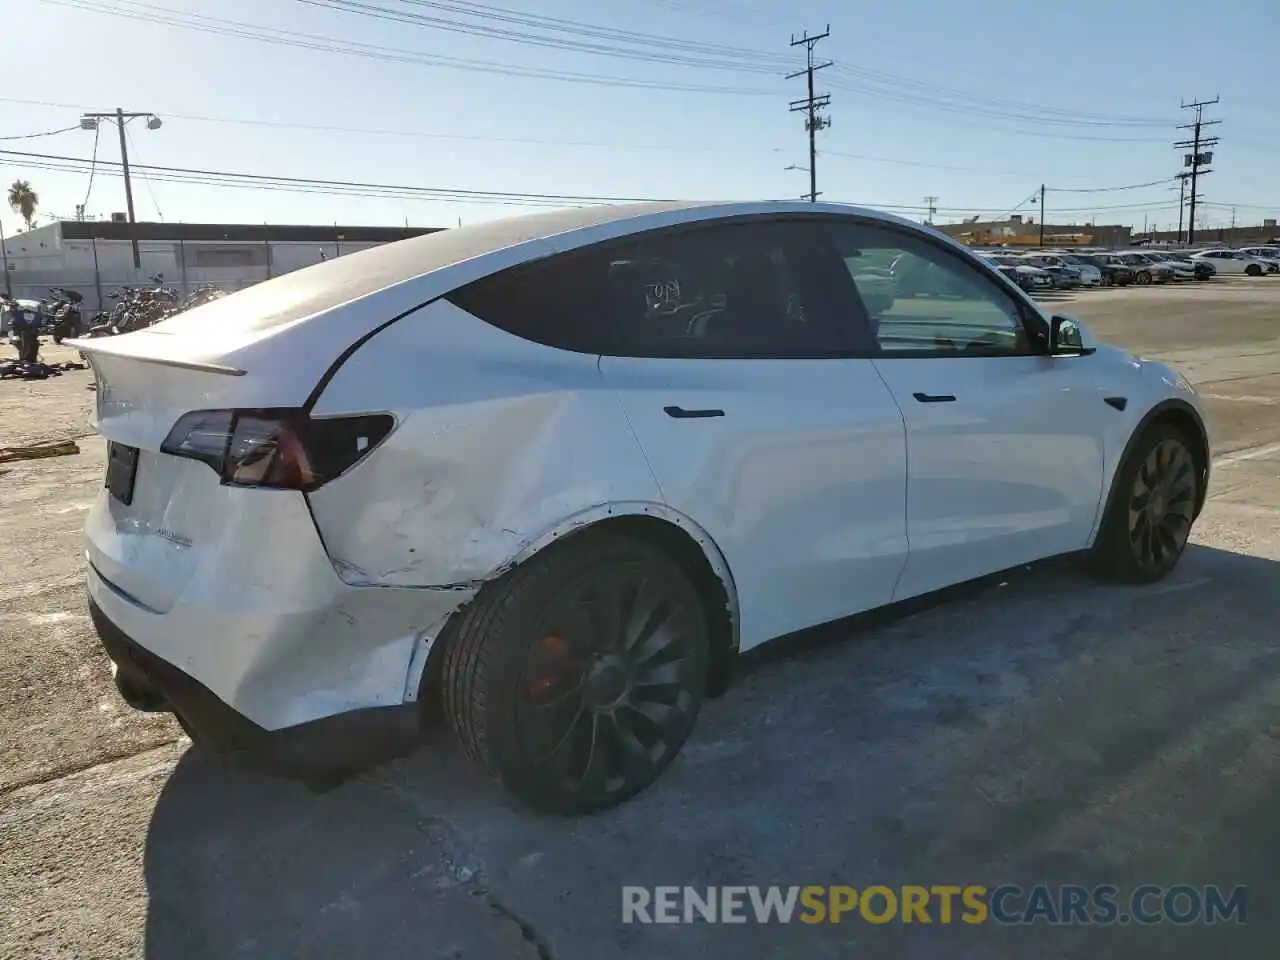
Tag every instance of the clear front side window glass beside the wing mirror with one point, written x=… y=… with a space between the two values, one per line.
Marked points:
x=924 y=300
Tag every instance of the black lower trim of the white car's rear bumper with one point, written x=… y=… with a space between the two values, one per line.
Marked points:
x=331 y=748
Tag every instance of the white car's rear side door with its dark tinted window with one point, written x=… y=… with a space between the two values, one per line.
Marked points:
x=735 y=377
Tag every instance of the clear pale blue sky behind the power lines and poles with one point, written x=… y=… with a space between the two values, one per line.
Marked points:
x=977 y=103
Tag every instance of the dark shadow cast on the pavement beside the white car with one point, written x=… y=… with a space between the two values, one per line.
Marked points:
x=1034 y=729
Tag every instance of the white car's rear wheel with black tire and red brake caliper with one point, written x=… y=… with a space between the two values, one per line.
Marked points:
x=578 y=678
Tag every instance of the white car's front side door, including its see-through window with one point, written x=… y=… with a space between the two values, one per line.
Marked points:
x=1005 y=445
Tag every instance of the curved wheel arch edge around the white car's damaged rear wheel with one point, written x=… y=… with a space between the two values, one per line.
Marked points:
x=683 y=540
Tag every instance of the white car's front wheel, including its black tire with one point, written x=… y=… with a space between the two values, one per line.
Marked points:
x=1151 y=510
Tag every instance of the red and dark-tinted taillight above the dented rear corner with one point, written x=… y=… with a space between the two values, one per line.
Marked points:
x=281 y=449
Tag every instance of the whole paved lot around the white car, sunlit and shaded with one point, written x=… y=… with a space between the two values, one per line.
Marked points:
x=1044 y=729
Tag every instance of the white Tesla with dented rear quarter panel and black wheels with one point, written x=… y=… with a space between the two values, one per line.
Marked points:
x=550 y=476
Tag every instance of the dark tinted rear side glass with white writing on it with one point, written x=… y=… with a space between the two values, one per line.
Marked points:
x=749 y=290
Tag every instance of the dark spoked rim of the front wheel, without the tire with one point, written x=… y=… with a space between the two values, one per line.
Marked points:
x=1163 y=505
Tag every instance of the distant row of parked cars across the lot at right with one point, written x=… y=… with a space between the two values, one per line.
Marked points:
x=1068 y=269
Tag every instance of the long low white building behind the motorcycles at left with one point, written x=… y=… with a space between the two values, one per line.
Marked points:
x=95 y=258
